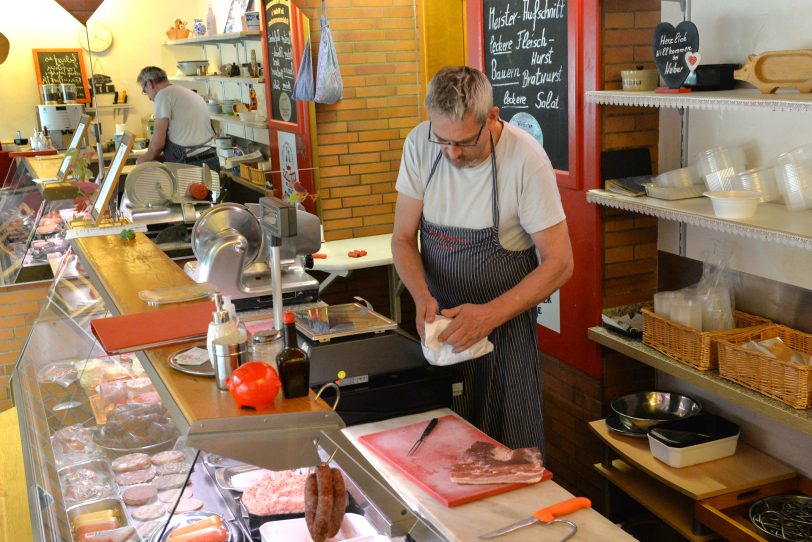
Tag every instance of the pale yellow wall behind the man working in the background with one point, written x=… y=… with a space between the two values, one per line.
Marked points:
x=138 y=36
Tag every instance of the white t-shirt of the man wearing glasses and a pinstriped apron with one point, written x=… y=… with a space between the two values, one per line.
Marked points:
x=529 y=201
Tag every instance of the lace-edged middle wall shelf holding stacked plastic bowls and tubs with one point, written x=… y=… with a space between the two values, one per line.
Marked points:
x=772 y=222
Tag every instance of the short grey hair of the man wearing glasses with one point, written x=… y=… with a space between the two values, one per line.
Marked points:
x=457 y=90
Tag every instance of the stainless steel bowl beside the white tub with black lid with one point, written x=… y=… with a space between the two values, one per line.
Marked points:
x=646 y=408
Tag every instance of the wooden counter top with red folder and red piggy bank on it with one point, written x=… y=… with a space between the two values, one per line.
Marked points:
x=121 y=269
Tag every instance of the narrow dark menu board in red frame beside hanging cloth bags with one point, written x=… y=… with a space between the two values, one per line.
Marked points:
x=280 y=60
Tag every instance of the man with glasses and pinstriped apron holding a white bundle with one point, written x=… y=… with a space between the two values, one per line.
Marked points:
x=493 y=244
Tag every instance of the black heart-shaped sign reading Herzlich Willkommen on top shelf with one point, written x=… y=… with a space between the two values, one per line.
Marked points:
x=671 y=46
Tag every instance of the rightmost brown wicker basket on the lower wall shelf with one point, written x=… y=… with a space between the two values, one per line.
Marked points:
x=785 y=381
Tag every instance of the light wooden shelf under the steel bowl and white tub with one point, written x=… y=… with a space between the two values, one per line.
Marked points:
x=748 y=468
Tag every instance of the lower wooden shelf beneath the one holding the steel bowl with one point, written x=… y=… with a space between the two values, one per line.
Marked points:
x=675 y=509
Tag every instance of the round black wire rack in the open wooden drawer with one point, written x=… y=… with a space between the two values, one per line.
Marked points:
x=786 y=517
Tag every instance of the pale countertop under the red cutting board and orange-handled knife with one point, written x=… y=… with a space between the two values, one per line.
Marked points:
x=466 y=522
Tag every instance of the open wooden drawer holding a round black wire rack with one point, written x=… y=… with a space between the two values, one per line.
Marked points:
x=727 y=514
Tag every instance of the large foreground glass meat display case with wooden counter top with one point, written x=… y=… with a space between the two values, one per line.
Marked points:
x=119 y=445
